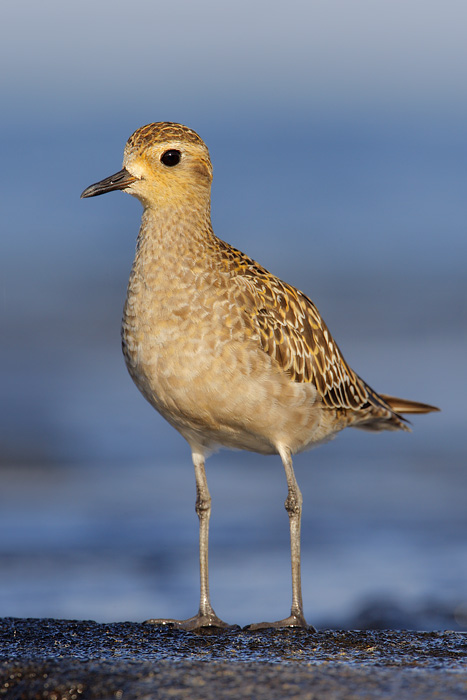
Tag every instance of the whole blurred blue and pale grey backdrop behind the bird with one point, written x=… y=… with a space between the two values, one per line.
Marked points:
x=339 y=164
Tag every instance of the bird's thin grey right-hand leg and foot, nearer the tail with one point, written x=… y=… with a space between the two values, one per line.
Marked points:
x=293 y=506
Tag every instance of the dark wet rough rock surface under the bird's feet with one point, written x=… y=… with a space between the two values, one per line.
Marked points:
x=55 y=659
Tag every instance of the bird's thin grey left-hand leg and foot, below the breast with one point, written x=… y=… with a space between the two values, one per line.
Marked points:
x=206 y=617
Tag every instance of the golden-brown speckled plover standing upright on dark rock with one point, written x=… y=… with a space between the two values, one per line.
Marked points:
x=230 y=355
